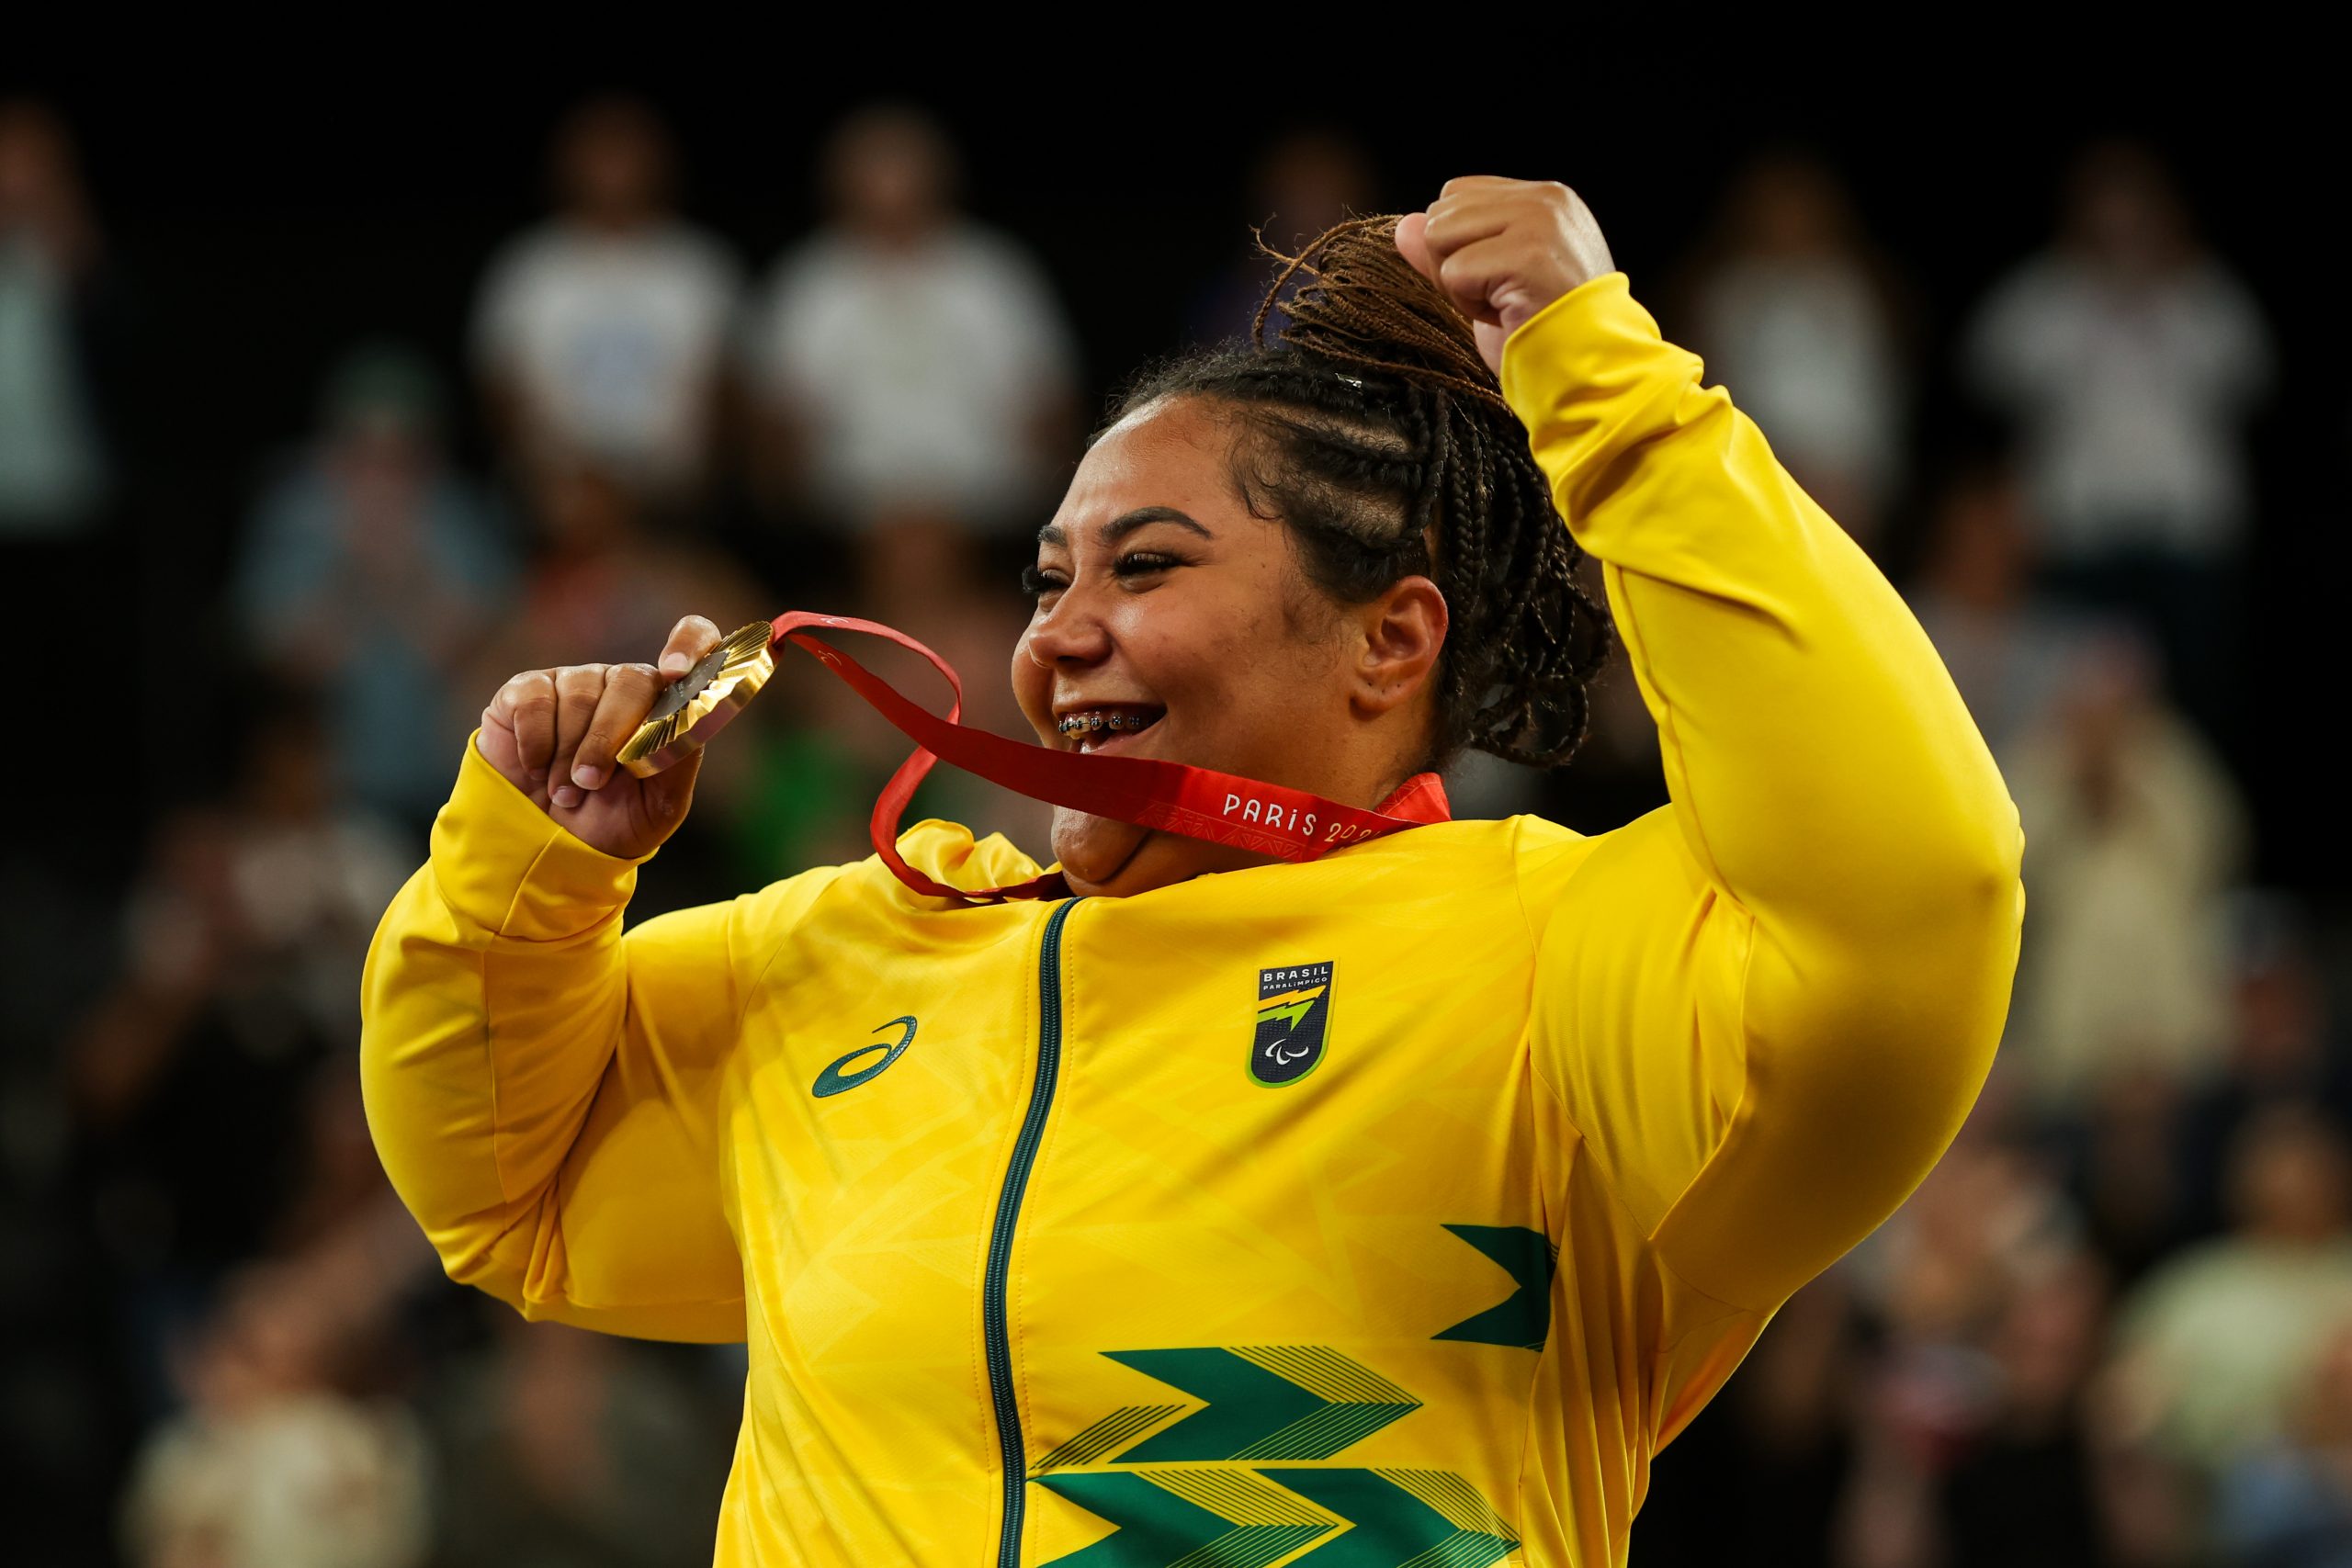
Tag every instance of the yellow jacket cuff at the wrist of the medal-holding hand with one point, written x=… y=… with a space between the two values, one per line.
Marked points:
x=509 y=869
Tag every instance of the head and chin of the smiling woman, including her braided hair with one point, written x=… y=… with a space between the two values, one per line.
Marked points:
x=1328 y=563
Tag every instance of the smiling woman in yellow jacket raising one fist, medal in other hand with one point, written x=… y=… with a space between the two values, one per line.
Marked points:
x=1391 y=1207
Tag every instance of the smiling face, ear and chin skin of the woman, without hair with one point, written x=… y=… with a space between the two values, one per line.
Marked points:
x=1189 y=631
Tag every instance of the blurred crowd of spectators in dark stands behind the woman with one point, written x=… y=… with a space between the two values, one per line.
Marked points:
x=312 y=431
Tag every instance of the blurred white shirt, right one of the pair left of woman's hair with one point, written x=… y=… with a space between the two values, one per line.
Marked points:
x=918 y=370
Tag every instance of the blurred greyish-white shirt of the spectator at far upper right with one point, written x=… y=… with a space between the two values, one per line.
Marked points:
x=2132 y=401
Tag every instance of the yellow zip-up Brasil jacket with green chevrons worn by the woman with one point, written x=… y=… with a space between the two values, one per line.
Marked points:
x=1391 y=1209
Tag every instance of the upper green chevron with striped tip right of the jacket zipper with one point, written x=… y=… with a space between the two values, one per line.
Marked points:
x=1264 y=1402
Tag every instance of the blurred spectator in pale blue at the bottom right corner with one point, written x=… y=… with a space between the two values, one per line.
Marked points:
x=2292 y=1508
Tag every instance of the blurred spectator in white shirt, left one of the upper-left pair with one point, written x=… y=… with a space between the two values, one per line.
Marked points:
x=603 y=333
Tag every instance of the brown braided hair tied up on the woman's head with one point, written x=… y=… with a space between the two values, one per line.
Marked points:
x=1375 y=431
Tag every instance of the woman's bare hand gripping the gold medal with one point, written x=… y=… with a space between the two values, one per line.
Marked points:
x=556 y=737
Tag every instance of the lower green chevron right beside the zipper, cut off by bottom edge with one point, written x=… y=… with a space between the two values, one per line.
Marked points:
x=1191 y=1517
